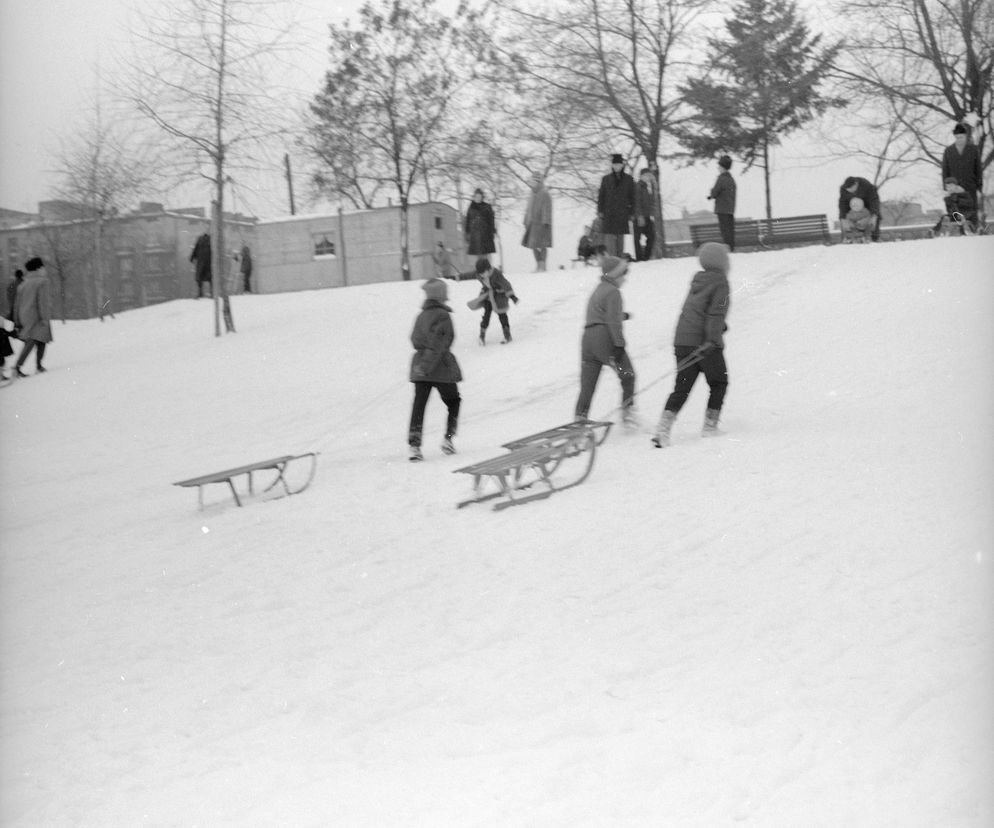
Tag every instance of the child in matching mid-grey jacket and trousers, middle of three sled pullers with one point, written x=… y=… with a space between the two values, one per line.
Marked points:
x=603 y=341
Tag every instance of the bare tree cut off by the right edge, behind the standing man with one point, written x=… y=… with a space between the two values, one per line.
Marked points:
x=931 y=62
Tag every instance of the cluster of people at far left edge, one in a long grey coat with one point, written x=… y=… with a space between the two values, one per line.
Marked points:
x=27 y=306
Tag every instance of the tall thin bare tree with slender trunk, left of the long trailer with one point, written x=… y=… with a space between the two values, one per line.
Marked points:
x=204 y=77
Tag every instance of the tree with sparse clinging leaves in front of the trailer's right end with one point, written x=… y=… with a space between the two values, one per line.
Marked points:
x=386 y=101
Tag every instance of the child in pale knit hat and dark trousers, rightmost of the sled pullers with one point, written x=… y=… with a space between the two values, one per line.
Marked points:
x=699 y=342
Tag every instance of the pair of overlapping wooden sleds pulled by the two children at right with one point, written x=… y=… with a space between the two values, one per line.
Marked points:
x=558 y=458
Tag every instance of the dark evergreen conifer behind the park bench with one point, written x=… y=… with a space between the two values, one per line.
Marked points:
x=761 y=84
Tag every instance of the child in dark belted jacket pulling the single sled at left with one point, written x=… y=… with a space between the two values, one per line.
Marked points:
x=434 y=366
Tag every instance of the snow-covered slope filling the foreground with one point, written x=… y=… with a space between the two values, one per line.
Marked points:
x=790 y=625
